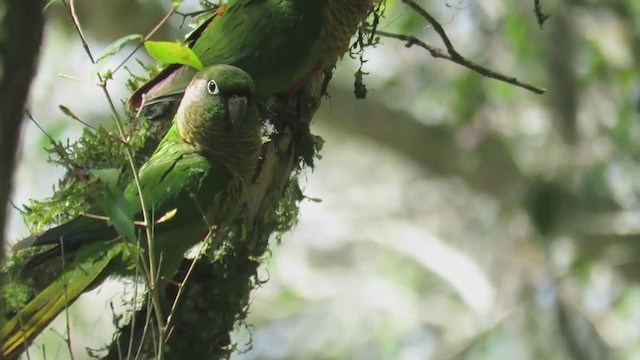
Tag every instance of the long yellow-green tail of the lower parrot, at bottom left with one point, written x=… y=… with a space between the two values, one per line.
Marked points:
x=32 y=319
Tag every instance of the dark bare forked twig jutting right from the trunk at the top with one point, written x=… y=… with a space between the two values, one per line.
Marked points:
x=451 y=53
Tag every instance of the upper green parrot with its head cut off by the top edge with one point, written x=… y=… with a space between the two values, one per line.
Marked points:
x=279 y=43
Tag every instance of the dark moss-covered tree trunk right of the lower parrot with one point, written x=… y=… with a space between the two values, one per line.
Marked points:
x=216 y=295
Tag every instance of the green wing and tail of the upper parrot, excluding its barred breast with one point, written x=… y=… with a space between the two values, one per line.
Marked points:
x=272 y=40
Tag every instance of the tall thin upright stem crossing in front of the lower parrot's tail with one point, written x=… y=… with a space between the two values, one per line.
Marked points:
x=151 y=283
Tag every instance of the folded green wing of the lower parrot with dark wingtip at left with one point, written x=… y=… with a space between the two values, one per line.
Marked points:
x=171 y=179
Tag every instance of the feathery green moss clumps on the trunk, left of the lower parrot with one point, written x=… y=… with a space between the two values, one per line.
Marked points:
x=73 y=194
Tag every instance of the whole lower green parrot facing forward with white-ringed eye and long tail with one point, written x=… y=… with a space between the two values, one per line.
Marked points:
x=191 y=185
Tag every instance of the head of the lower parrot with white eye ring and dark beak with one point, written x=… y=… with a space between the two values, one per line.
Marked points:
x=219 y=99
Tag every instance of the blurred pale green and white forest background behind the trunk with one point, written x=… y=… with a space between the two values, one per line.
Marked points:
x=450 y=217
